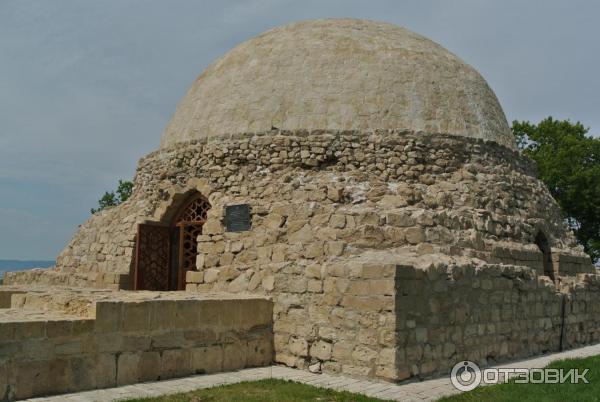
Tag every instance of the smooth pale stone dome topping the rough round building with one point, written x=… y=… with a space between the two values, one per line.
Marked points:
x=339 y=74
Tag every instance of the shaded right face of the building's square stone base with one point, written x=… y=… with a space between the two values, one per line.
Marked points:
x=488 y=314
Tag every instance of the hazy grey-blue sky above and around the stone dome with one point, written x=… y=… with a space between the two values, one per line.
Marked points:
x=87 y=87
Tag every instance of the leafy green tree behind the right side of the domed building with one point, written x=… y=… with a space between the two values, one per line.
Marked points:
x=568 y=162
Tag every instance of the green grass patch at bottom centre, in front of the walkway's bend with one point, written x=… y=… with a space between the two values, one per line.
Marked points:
x=262 y=391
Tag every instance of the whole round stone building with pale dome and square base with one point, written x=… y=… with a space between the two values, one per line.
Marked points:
x=365 y=179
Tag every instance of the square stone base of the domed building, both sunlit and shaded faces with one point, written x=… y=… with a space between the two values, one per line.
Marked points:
x=395 y=322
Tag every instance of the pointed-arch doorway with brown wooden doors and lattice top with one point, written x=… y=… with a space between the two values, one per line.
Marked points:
x=164 y=253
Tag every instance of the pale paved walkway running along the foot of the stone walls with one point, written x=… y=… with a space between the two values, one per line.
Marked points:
x=429 y=390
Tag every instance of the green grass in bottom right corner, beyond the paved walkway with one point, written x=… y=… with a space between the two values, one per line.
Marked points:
x=541 y=392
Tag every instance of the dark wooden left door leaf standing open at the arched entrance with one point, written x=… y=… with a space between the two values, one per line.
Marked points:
x=152 y=258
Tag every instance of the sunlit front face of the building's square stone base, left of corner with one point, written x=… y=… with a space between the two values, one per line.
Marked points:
x=338 y=318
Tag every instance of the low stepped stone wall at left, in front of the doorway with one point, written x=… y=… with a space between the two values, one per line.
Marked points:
x=131 y=341
